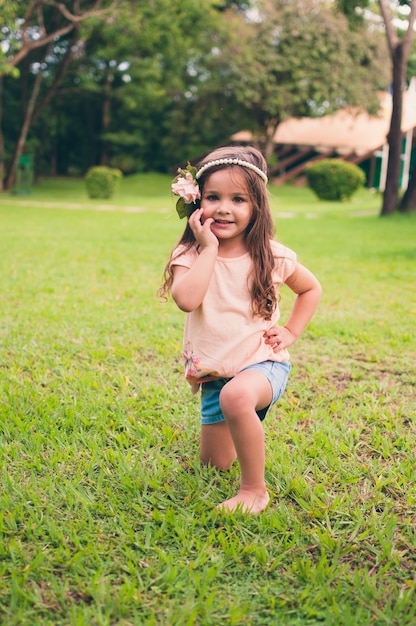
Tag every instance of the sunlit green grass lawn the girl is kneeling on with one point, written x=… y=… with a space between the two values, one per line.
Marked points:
x=107 y=516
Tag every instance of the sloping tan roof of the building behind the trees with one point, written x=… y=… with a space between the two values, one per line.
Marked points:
x=346 y=131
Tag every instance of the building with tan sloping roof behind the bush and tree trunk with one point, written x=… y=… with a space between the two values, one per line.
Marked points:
x=348 y=134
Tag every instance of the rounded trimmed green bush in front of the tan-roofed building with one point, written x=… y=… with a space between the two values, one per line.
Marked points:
x=333 y=179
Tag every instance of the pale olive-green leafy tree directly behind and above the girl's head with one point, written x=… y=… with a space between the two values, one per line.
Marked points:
x=300 y=58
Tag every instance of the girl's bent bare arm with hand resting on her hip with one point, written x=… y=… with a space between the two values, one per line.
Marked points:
x=308 y=290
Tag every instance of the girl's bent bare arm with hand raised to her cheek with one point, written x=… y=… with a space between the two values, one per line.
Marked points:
x=190 y=284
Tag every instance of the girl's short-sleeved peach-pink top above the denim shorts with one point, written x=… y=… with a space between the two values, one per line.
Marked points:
x=222 y=336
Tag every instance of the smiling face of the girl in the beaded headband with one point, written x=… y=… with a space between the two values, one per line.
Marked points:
x=226 y=200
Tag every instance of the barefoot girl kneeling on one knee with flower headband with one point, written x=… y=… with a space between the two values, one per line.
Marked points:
x=225 y=274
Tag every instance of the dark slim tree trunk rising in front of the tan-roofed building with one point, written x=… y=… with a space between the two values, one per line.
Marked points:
x=394 y=138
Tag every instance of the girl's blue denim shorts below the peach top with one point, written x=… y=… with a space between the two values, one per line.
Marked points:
x=276 y=373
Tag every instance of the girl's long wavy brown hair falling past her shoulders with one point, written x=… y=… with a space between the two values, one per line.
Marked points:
x=258 y=234
